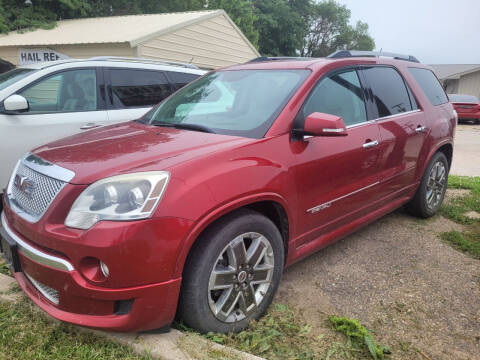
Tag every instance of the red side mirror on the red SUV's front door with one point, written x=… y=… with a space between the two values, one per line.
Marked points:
x=321 y=124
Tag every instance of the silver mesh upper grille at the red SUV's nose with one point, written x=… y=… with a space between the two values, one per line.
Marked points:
x=41 y=194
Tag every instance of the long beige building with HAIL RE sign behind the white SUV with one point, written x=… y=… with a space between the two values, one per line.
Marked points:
x=208 y=39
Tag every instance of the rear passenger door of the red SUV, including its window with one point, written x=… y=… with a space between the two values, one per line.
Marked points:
x=402 y=126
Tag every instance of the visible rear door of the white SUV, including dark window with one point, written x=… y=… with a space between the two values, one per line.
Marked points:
x=132 y=92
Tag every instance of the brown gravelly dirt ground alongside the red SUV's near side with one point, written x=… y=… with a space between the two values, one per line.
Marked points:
x=414 y=292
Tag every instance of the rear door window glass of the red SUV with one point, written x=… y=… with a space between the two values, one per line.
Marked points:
x=389 y=92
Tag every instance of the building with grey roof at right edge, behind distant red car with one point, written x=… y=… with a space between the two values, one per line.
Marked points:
x=459 y=78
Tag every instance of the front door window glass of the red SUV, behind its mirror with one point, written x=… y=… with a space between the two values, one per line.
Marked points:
x=339 y=94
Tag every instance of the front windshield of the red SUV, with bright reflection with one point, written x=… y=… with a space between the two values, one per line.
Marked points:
x=240 y=102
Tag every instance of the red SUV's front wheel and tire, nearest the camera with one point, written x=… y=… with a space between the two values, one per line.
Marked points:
x=232 y=273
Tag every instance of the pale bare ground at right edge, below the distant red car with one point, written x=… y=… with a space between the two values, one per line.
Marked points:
x=466 y=155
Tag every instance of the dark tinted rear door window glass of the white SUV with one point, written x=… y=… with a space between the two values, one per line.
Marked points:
x=137 y=88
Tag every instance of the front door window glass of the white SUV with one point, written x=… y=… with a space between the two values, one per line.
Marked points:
x=67 y=91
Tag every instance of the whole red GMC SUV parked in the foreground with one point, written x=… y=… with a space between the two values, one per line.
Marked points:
x=196 y=208
